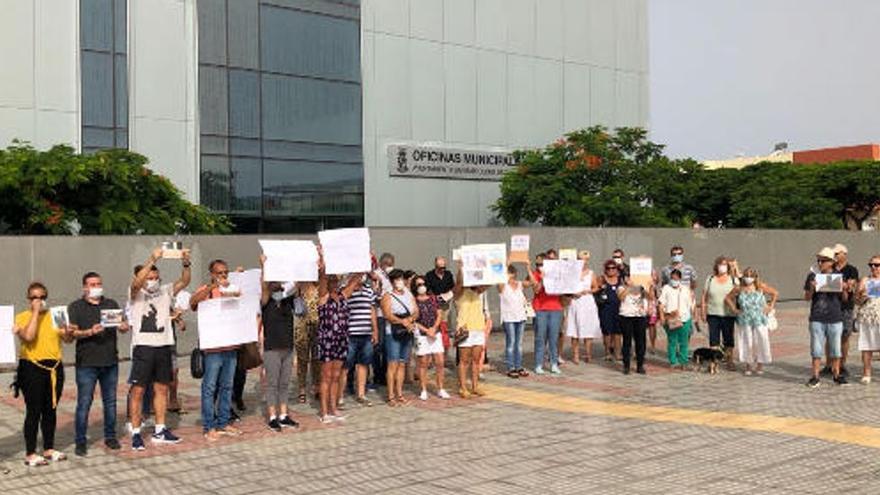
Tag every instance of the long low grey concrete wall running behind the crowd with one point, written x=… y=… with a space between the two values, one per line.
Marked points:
x=782 y=257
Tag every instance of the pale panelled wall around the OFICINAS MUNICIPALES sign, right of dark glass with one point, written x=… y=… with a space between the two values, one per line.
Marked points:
x=485 y=74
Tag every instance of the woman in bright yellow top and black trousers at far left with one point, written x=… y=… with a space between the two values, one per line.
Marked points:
x=40 y=374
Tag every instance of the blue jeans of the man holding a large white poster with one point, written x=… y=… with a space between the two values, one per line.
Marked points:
x=219 y=375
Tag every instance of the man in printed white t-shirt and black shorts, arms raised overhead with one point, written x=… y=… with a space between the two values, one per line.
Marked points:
x=153 y=344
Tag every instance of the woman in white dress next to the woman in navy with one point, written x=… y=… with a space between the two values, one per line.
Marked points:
x=582 y=314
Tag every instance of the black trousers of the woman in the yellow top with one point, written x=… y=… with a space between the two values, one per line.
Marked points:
x=36 y=386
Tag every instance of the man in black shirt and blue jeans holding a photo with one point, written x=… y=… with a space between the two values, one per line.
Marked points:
x=97 y=360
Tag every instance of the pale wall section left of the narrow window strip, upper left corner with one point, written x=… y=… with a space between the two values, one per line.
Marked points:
x=39 y=86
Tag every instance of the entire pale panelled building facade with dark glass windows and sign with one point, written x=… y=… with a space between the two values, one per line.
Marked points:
x=298 y=115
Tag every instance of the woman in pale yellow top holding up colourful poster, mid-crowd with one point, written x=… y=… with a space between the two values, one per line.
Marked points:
x=470 y=334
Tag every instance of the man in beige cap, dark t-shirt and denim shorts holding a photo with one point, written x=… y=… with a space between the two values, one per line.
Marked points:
x=826 y=318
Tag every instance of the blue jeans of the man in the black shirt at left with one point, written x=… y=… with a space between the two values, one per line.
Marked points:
x=86 y=379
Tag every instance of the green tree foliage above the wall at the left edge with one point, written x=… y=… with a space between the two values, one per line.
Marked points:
x=60 y=192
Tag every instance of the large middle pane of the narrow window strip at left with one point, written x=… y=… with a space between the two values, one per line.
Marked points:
x=97 y=89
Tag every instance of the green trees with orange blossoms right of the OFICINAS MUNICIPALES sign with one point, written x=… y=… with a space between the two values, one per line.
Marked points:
x=594 y=177
